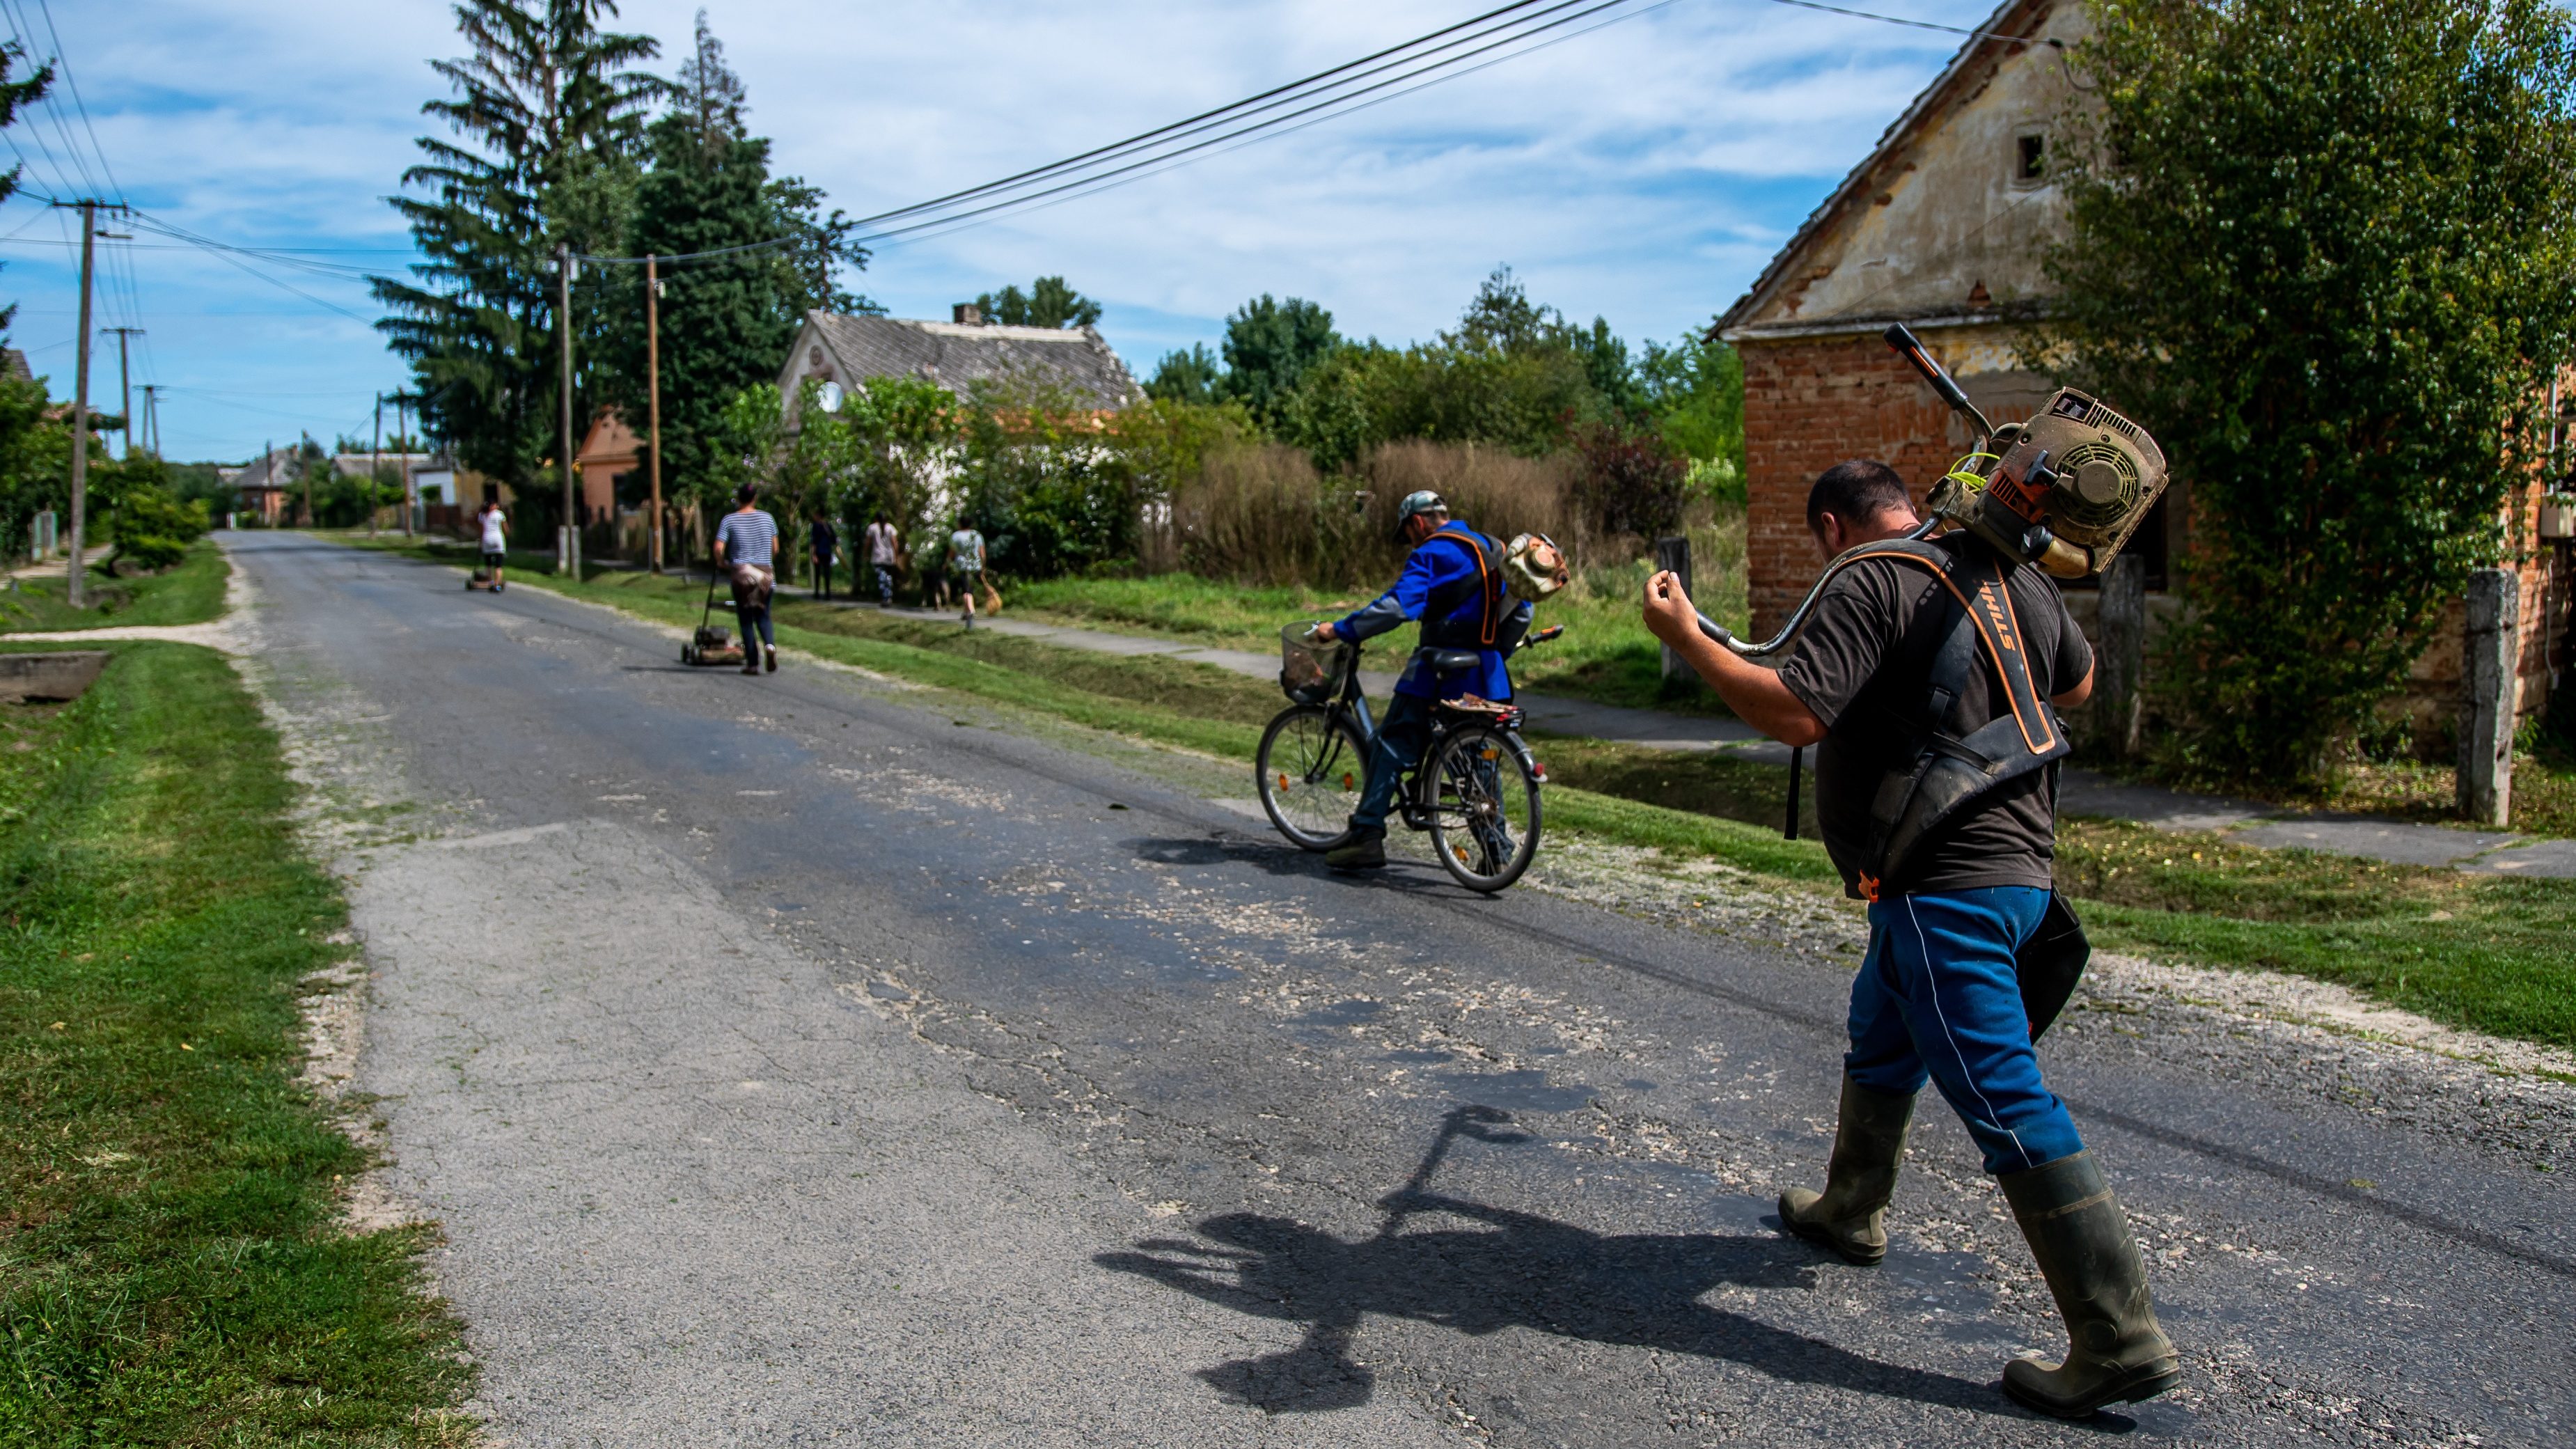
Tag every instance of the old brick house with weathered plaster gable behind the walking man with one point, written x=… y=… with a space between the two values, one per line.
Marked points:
x=1941 y=228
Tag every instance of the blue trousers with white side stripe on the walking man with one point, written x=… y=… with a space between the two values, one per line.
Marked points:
x=1938 y=997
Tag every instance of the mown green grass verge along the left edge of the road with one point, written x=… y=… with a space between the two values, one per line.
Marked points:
x=171 y=1270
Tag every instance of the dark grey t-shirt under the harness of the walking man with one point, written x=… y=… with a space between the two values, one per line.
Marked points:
x=1864 y=666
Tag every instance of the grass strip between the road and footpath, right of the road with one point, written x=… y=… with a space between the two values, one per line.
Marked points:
x=2492 y=955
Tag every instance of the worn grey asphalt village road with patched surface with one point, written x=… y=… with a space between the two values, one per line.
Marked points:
x=808 y=1061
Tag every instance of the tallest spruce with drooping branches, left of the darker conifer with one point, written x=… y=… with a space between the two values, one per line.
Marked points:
x=547 y=117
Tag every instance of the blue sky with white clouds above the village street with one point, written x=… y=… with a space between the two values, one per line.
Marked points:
x=1642 y=174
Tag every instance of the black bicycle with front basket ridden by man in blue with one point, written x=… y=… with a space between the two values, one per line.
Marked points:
x=1475 y=790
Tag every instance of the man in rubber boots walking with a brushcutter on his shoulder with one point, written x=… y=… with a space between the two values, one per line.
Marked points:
x=1928 y=672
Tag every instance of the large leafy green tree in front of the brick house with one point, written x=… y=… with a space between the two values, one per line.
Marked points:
x=2325 y=254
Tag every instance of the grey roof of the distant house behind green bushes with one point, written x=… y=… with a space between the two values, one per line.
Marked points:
x=957 y=355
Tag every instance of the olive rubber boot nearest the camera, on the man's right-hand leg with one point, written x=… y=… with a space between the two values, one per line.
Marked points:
x=2080 y=1236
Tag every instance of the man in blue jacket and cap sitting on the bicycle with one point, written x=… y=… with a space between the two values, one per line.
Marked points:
x=1454 y=587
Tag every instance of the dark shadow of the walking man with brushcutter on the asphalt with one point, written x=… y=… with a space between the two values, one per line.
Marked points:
x=1519 y=1272
